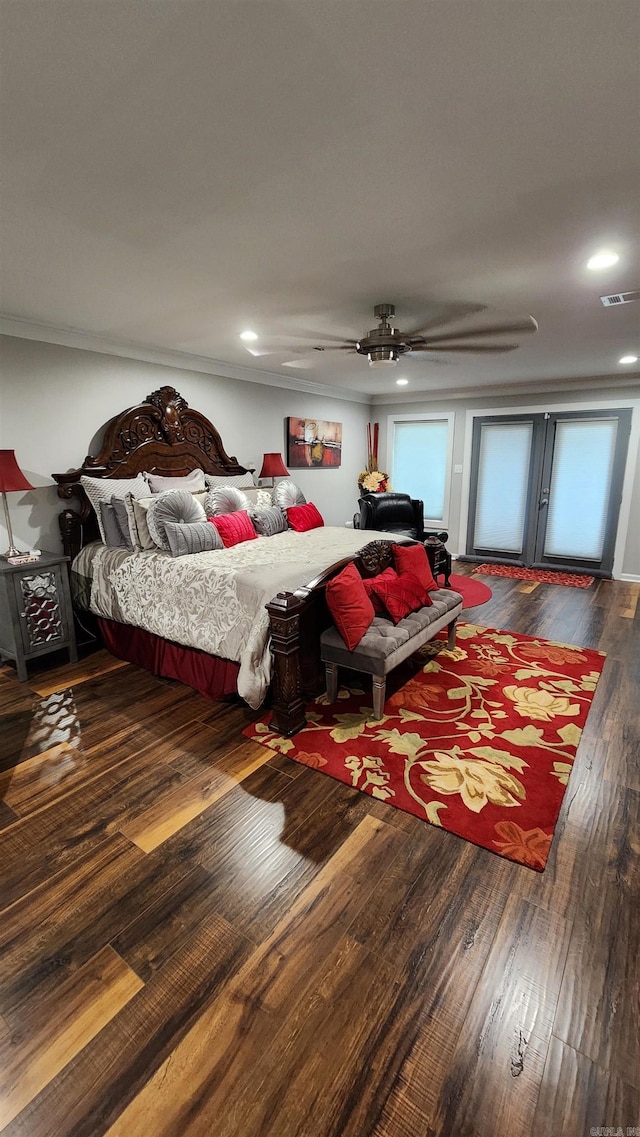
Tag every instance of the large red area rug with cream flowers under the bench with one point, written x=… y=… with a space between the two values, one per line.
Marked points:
x=479 y=741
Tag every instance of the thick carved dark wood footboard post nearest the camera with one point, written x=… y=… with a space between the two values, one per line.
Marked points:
x=288 y=707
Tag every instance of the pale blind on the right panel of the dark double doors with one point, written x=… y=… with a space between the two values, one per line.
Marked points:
x=584 y=459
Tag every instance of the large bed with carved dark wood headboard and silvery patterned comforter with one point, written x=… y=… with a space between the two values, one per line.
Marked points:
x=246 y=619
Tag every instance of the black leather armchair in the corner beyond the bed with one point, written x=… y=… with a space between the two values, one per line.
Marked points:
x=400 y=513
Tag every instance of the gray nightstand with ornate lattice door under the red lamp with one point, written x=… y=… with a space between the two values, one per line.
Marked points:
x=36 y=611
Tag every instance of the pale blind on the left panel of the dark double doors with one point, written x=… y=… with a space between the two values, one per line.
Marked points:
x=503 y=479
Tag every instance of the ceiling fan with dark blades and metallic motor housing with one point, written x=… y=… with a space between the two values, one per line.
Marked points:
x=386 y=344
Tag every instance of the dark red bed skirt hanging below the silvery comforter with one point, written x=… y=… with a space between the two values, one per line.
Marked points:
x=212 y=677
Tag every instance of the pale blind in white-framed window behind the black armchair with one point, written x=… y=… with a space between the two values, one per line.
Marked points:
x=420 y=463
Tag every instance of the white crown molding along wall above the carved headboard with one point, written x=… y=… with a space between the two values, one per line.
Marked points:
x=71 y=338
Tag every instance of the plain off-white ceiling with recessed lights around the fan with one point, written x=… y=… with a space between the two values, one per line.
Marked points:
x=176 y=171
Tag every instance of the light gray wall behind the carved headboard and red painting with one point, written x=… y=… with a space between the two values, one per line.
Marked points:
x=55 y=400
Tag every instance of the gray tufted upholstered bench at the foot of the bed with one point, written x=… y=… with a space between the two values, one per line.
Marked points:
x=385 y=645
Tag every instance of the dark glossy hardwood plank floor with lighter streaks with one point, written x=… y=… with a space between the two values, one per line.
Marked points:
x=202 y=937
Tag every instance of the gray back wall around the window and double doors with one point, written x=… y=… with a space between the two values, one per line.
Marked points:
x=628 y=560
